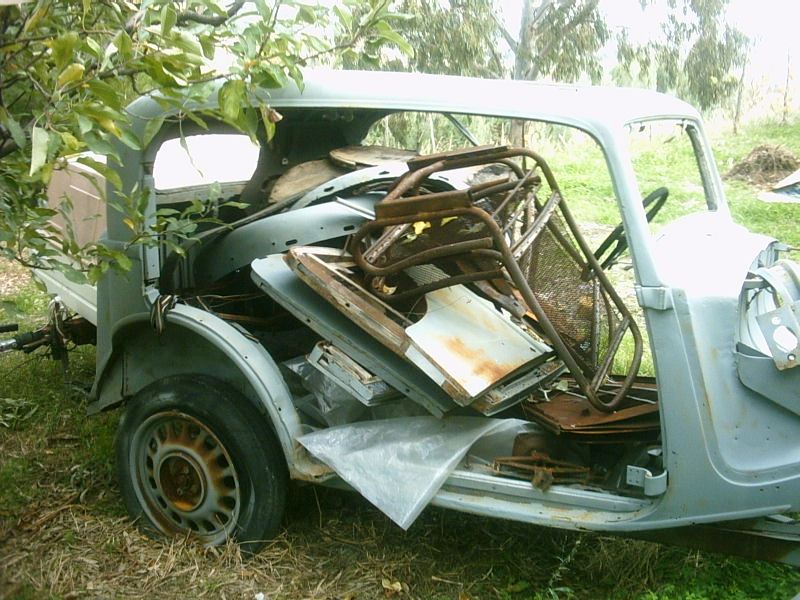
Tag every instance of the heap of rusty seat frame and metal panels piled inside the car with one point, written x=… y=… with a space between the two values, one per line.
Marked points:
x=486 y=297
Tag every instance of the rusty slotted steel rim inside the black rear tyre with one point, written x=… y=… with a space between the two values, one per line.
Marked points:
x=185 y=478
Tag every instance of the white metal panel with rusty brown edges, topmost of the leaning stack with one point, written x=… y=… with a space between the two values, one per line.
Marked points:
x=460 y=341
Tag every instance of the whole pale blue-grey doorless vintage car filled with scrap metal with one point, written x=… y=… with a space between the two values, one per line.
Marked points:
x=438 y=330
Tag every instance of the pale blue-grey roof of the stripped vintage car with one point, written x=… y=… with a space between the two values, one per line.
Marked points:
x=596 y=109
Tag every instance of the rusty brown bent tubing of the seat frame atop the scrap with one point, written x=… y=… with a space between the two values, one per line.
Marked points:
x=415 y=178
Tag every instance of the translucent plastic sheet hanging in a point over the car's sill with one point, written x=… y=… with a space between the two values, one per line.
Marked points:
x=400 y=464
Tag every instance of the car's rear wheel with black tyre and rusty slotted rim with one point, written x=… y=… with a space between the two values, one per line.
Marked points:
x=195 y=457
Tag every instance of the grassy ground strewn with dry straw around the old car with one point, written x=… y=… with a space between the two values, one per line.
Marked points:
x=64 y=533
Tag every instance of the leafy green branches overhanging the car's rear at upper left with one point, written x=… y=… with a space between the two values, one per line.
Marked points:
x=69 y=67
